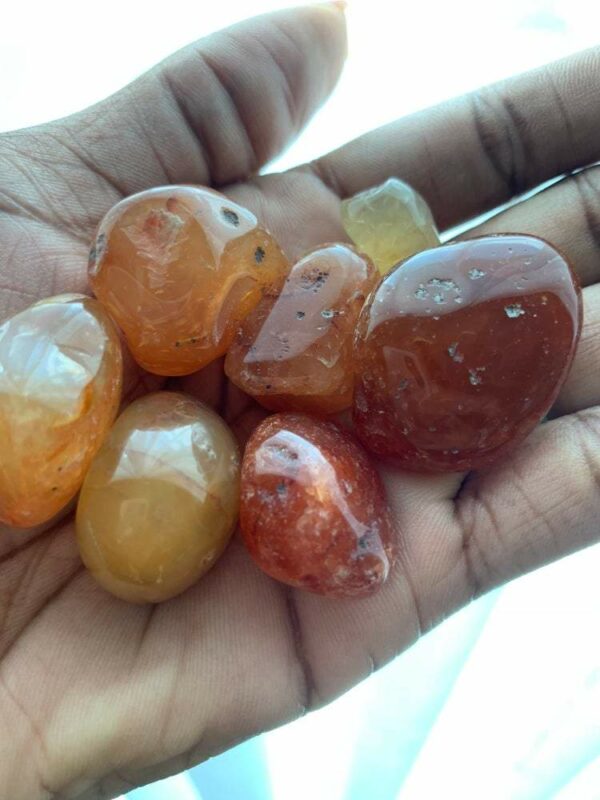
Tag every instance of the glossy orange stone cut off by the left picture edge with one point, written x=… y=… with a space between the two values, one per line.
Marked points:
x=60 y=387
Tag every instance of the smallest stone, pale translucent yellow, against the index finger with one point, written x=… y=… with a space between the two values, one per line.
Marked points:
x=389 y=223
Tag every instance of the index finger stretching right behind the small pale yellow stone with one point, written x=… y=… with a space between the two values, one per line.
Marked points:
x=476 y=152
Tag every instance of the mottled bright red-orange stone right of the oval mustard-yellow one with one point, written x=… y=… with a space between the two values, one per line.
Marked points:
x=313 y=510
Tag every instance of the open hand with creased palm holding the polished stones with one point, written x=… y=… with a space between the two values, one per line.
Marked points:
x=97 y=696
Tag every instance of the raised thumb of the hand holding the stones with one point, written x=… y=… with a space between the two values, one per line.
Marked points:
x=218 y=110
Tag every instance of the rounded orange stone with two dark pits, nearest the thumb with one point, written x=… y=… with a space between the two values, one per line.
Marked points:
x=178 y=268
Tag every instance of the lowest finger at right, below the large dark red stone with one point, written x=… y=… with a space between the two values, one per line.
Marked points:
x=542 y=503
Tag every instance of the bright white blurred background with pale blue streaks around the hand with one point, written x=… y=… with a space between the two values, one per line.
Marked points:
x=502 y=701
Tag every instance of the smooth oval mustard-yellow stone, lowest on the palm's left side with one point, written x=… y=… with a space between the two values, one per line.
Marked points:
x=160 y=500
